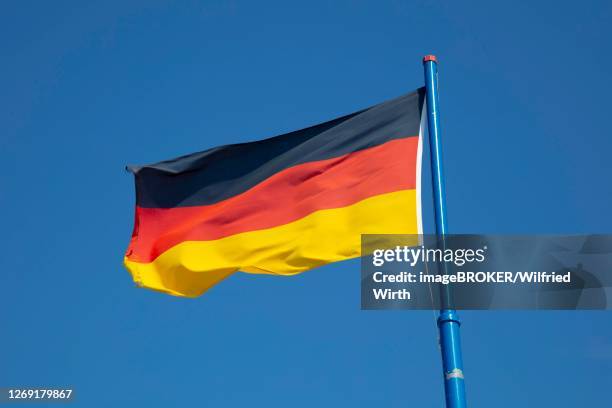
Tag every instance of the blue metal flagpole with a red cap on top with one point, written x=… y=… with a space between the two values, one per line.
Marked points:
x=448 y=321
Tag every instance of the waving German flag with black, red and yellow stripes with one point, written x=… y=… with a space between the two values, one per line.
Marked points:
x=278 y=206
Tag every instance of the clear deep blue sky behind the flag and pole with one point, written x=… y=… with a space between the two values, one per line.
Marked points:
x=88 y=87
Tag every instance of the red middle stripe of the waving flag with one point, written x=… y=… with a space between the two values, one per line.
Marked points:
x=285 y=197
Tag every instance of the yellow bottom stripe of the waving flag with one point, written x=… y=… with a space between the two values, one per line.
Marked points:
x=192 y=267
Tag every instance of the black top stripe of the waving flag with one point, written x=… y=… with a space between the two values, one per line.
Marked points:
x=217 y=174
